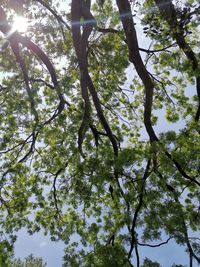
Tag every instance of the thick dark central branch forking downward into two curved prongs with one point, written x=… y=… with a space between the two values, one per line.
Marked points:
x=80 y=9
